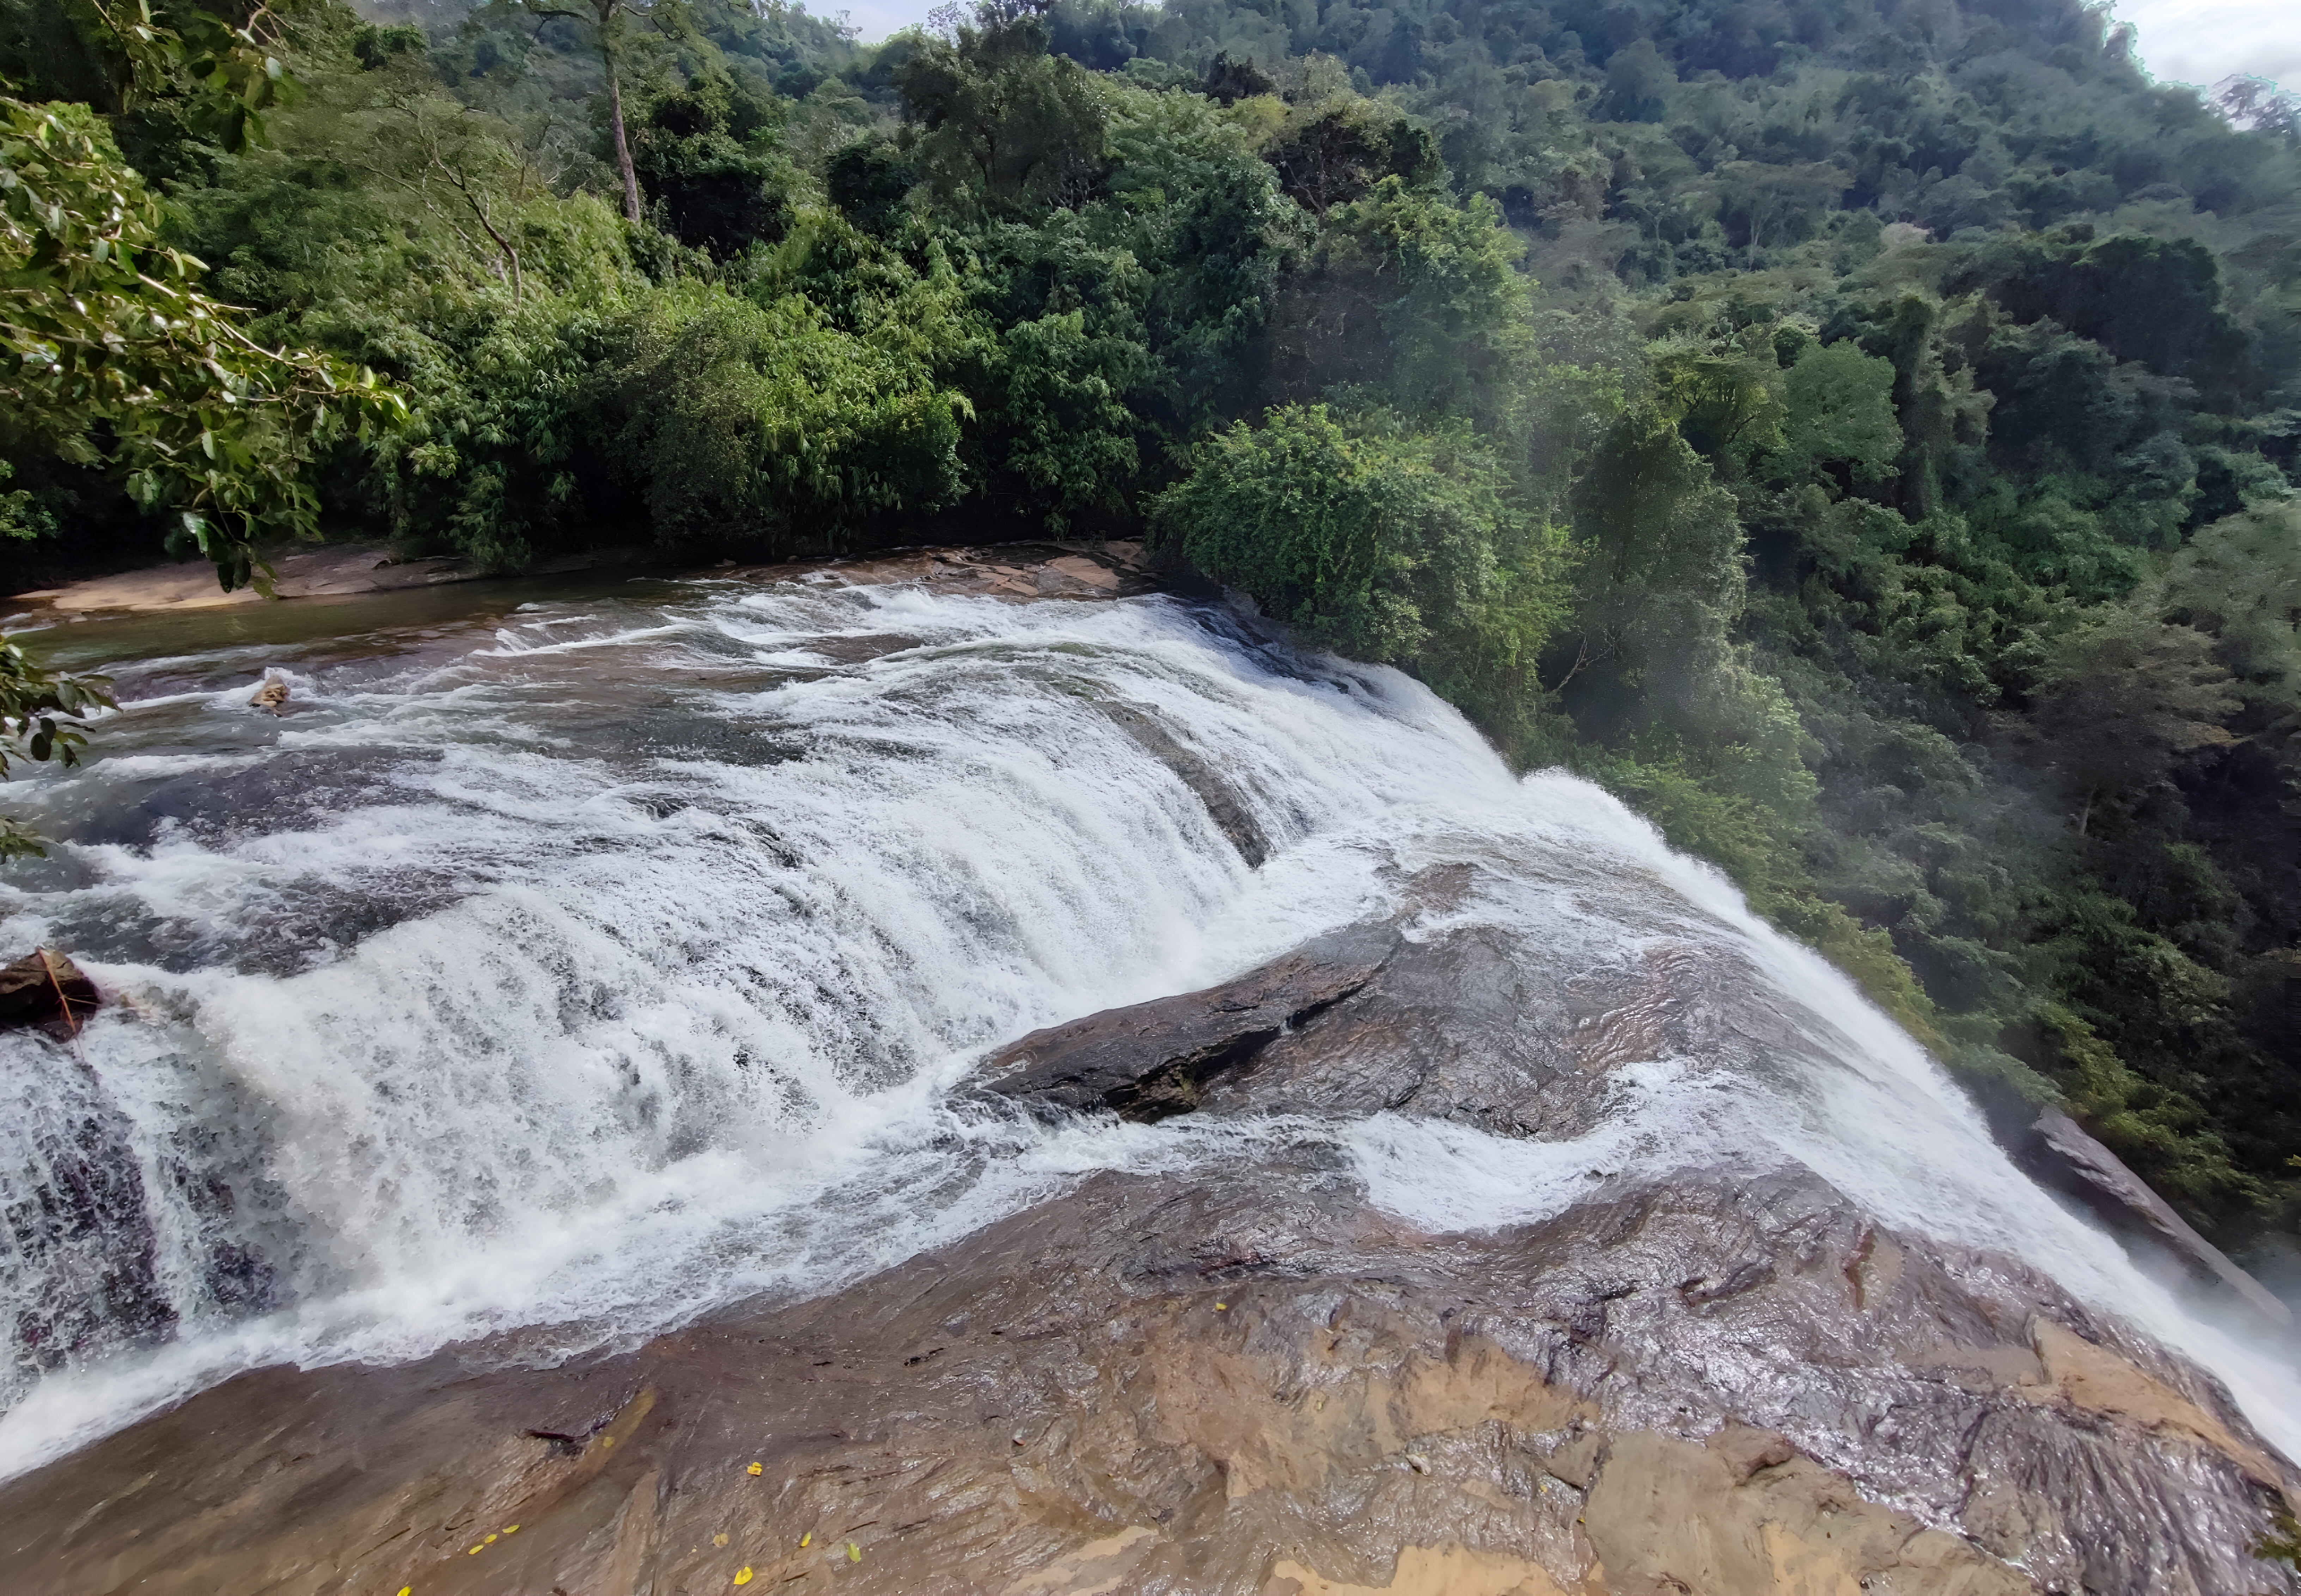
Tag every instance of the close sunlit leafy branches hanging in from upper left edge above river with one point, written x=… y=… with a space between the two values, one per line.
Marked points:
x=116 y=358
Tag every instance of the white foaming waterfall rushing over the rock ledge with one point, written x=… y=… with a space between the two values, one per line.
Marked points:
x=590 y=972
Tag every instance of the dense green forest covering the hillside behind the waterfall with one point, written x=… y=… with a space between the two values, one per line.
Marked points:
x=1860 y=433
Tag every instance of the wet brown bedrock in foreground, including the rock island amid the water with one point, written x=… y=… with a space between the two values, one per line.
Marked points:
x=1255 y=1381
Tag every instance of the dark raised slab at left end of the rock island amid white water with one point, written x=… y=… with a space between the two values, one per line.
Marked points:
x=1159 y=1059
